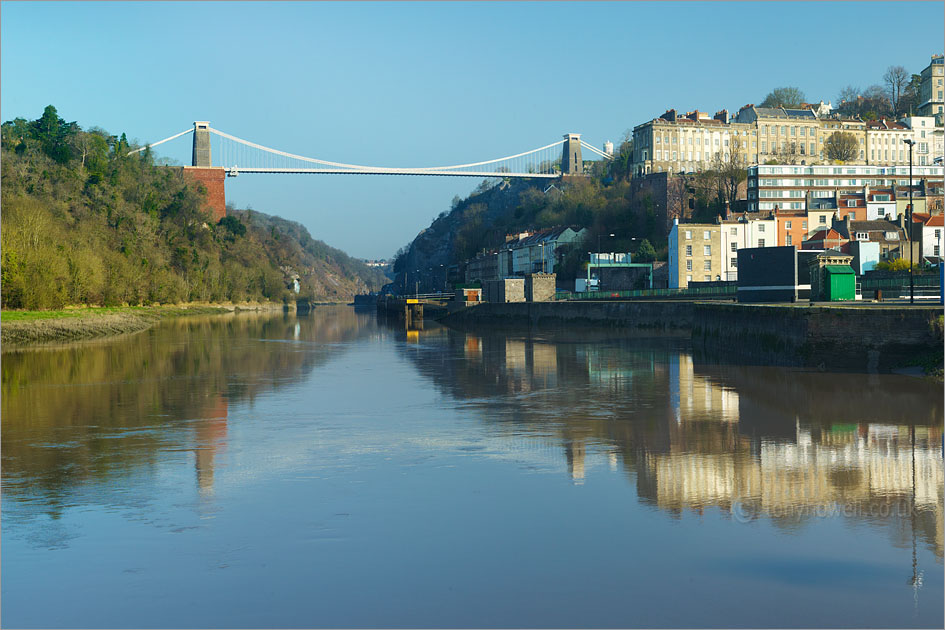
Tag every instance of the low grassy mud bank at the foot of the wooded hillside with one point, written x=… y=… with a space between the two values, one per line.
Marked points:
x=24 y=328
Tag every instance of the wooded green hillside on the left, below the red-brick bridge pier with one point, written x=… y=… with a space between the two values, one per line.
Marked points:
x=84 y=223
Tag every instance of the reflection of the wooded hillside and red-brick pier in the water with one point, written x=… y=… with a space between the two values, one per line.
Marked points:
x=88 y=413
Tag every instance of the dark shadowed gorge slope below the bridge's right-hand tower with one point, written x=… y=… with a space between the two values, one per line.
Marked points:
x=425 y=265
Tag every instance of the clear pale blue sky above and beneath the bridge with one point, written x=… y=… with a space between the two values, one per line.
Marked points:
x=413 y=84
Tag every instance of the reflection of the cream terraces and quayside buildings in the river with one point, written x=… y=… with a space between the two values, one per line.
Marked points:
x=756 y=442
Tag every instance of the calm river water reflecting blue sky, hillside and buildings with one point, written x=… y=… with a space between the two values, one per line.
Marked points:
x=270 y=470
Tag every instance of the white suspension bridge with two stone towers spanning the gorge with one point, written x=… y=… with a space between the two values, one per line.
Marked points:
x=235 y=156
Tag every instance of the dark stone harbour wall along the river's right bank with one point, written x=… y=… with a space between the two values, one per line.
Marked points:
x=869 y=338
